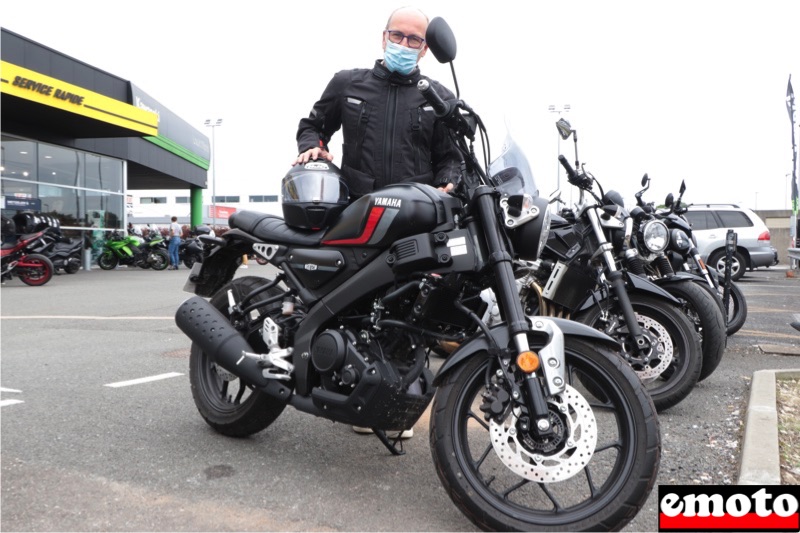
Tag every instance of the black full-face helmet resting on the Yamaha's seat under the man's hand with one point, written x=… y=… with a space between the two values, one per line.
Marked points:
x=313 y=195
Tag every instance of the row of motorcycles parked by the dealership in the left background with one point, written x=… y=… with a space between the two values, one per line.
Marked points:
x=34 y=249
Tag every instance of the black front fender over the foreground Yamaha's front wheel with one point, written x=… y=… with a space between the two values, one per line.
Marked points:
x=499 y=333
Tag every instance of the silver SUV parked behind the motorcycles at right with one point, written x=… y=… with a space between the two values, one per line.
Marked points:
x=710 y=225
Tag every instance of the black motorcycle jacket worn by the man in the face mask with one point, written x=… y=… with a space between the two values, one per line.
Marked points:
x=390 y=132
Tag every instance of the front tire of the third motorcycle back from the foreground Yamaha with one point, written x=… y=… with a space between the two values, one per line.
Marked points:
x=705 y=313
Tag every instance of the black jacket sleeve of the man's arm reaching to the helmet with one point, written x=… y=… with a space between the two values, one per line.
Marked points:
x=325 y=118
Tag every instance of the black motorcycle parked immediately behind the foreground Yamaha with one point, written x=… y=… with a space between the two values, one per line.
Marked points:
x=578 y=276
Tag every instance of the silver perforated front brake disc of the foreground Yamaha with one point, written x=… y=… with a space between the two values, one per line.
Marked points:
x=567 y=459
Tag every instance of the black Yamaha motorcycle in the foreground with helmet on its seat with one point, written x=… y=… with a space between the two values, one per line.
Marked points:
x=537 y=424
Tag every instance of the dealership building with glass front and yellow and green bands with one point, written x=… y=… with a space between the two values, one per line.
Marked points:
x=76 y=140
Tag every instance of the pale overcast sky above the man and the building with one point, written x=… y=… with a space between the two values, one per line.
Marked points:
x=682 y=90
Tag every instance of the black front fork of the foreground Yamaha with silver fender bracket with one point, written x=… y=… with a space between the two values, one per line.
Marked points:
x=552 y=355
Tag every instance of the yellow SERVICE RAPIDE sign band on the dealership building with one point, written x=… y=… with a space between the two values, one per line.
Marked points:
x=36 y=87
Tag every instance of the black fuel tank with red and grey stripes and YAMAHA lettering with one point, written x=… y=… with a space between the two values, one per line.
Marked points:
x=380 y=218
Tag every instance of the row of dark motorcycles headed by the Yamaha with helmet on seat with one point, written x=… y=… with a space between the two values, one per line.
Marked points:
x=564 y=334
